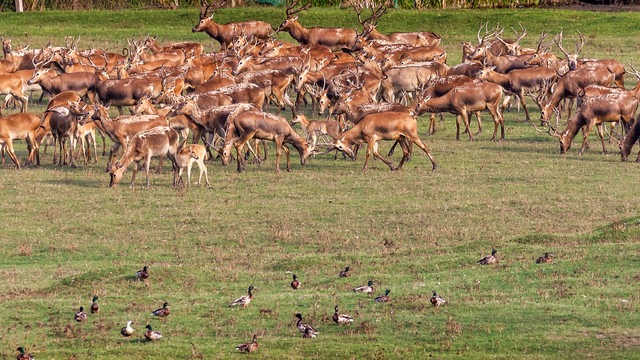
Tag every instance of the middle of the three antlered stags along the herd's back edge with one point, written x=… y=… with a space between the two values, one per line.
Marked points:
x=334 y=38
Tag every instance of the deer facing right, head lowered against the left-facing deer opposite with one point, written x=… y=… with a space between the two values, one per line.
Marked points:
x=245 y=125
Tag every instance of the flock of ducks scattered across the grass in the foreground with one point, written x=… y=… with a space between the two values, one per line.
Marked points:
x=308 y=331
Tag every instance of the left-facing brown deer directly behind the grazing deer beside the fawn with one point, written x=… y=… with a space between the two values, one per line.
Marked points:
x=121 y=129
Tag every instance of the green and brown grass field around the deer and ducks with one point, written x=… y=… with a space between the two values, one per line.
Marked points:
x=66 y=236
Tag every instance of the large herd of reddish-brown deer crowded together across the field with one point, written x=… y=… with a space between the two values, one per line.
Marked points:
x=374 y=85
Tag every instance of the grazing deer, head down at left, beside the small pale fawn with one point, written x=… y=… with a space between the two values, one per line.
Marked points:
x=157 y=141
